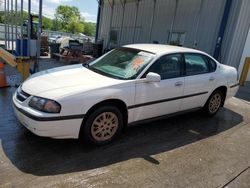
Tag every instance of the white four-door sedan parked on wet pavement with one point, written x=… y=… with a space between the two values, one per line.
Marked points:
x=128 y=85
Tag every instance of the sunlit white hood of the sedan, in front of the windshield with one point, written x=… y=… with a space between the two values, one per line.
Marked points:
x=64 y=78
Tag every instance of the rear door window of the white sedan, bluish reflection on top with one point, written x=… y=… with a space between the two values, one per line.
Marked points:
x=196 y=64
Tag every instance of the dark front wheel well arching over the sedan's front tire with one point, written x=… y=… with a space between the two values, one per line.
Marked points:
x=109 y=102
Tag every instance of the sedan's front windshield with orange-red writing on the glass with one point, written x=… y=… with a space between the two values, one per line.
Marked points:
x=122 y=63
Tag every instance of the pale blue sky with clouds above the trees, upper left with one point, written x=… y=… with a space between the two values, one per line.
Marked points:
x=88 y=8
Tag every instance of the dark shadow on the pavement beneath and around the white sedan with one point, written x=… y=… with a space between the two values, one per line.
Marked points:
x=43 y=156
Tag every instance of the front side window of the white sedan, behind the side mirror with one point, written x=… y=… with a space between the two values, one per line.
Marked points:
x=168 y=66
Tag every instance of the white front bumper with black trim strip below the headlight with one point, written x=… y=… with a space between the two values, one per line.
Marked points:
x=47 y=126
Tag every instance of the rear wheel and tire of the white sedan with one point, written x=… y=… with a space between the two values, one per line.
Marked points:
x=213 y=103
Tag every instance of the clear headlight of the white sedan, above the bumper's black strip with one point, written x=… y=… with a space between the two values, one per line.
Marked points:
x=45 y=105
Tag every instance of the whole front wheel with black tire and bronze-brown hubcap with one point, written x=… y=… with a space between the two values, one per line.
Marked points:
x=102 y=126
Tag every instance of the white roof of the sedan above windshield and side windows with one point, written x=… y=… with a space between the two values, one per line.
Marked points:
x=162 y=48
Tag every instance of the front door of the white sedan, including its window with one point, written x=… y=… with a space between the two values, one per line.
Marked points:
x=159 y=98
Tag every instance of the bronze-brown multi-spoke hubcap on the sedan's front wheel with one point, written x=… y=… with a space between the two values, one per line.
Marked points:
x=104 y=126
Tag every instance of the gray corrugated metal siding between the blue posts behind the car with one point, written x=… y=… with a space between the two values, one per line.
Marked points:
x=186 y=20
